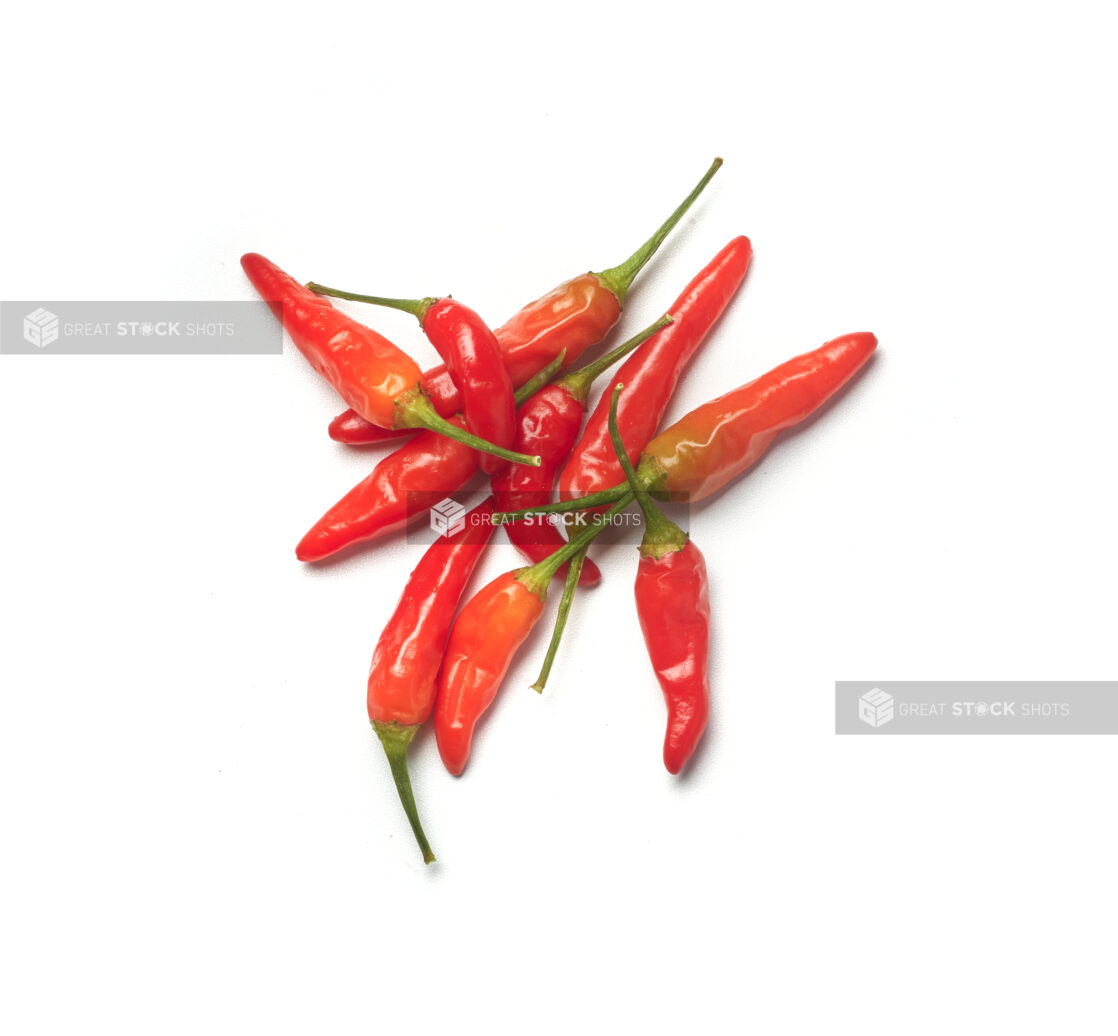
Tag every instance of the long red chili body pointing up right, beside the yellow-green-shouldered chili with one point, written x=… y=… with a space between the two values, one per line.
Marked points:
x=652 y=375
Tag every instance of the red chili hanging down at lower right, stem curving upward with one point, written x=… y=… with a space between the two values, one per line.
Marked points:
x=674 y=606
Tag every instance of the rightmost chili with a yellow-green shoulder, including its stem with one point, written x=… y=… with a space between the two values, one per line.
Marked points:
x=717 y=442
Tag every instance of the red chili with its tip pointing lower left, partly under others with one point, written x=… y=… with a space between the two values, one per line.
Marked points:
x=401 y=489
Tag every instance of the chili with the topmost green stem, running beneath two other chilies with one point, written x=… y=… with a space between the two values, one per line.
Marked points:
x=571 y=319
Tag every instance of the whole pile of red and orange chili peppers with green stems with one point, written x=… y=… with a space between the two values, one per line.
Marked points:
x=510 y=404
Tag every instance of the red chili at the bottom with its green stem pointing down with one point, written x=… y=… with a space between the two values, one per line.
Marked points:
x=410 y=652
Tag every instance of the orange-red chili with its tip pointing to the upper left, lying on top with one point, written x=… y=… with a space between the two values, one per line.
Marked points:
x=378 y=381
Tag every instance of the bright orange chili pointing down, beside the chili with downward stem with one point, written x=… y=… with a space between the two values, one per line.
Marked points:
x=482 y=643
